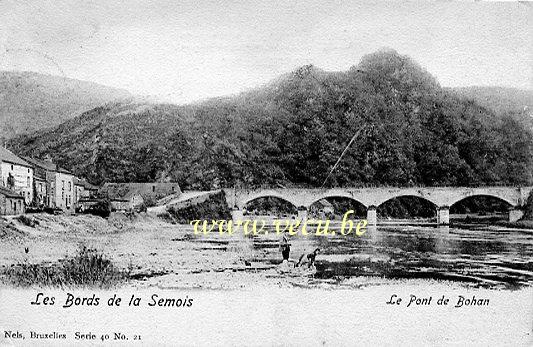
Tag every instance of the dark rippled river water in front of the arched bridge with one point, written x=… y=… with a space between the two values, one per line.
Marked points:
x=487 y=256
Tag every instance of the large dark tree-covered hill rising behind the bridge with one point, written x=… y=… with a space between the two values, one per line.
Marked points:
x=291 y=132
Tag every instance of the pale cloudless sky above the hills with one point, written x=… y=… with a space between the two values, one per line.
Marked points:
x=182 y=51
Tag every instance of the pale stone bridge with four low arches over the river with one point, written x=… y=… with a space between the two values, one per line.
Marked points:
x=371 y=198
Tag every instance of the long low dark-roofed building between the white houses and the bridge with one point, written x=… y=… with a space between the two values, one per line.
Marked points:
x=132 y=196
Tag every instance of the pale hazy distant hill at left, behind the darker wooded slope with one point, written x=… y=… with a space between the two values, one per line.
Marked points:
x=31 y=101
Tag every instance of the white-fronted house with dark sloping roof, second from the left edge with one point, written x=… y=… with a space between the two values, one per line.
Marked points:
x=58 y=185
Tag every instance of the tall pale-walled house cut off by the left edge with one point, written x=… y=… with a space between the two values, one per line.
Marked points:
x=16 y=175
